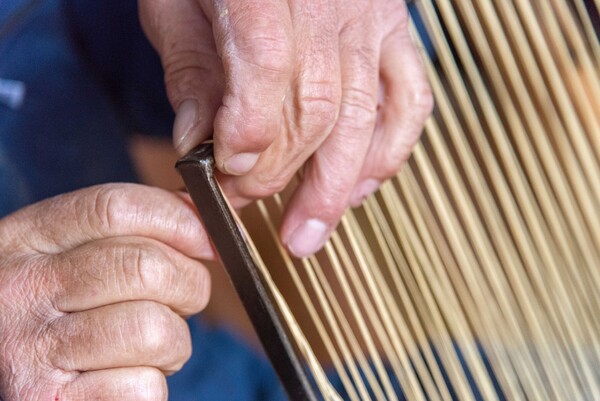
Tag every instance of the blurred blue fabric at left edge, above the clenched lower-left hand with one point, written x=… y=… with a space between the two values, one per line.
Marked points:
x=66 y=134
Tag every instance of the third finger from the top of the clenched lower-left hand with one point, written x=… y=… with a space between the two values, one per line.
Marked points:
x=128 y=334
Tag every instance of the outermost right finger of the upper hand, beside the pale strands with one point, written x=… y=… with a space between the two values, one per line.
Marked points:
x=406 y=104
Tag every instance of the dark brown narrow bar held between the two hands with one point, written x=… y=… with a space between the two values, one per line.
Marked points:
x=197 y=171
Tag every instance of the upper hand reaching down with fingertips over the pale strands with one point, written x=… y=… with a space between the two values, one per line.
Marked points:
x=335 y=84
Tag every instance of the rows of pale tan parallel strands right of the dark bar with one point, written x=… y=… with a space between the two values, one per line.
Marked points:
x=475 y=273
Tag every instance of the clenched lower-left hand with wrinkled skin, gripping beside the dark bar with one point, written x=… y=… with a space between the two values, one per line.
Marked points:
x=93 y=285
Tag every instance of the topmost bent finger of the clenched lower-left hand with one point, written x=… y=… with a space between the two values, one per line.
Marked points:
x=67 y=221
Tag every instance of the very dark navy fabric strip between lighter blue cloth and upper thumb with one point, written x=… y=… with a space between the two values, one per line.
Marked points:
x=109 y=38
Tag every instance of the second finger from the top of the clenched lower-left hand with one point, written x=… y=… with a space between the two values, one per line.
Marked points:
x=122 y=269
